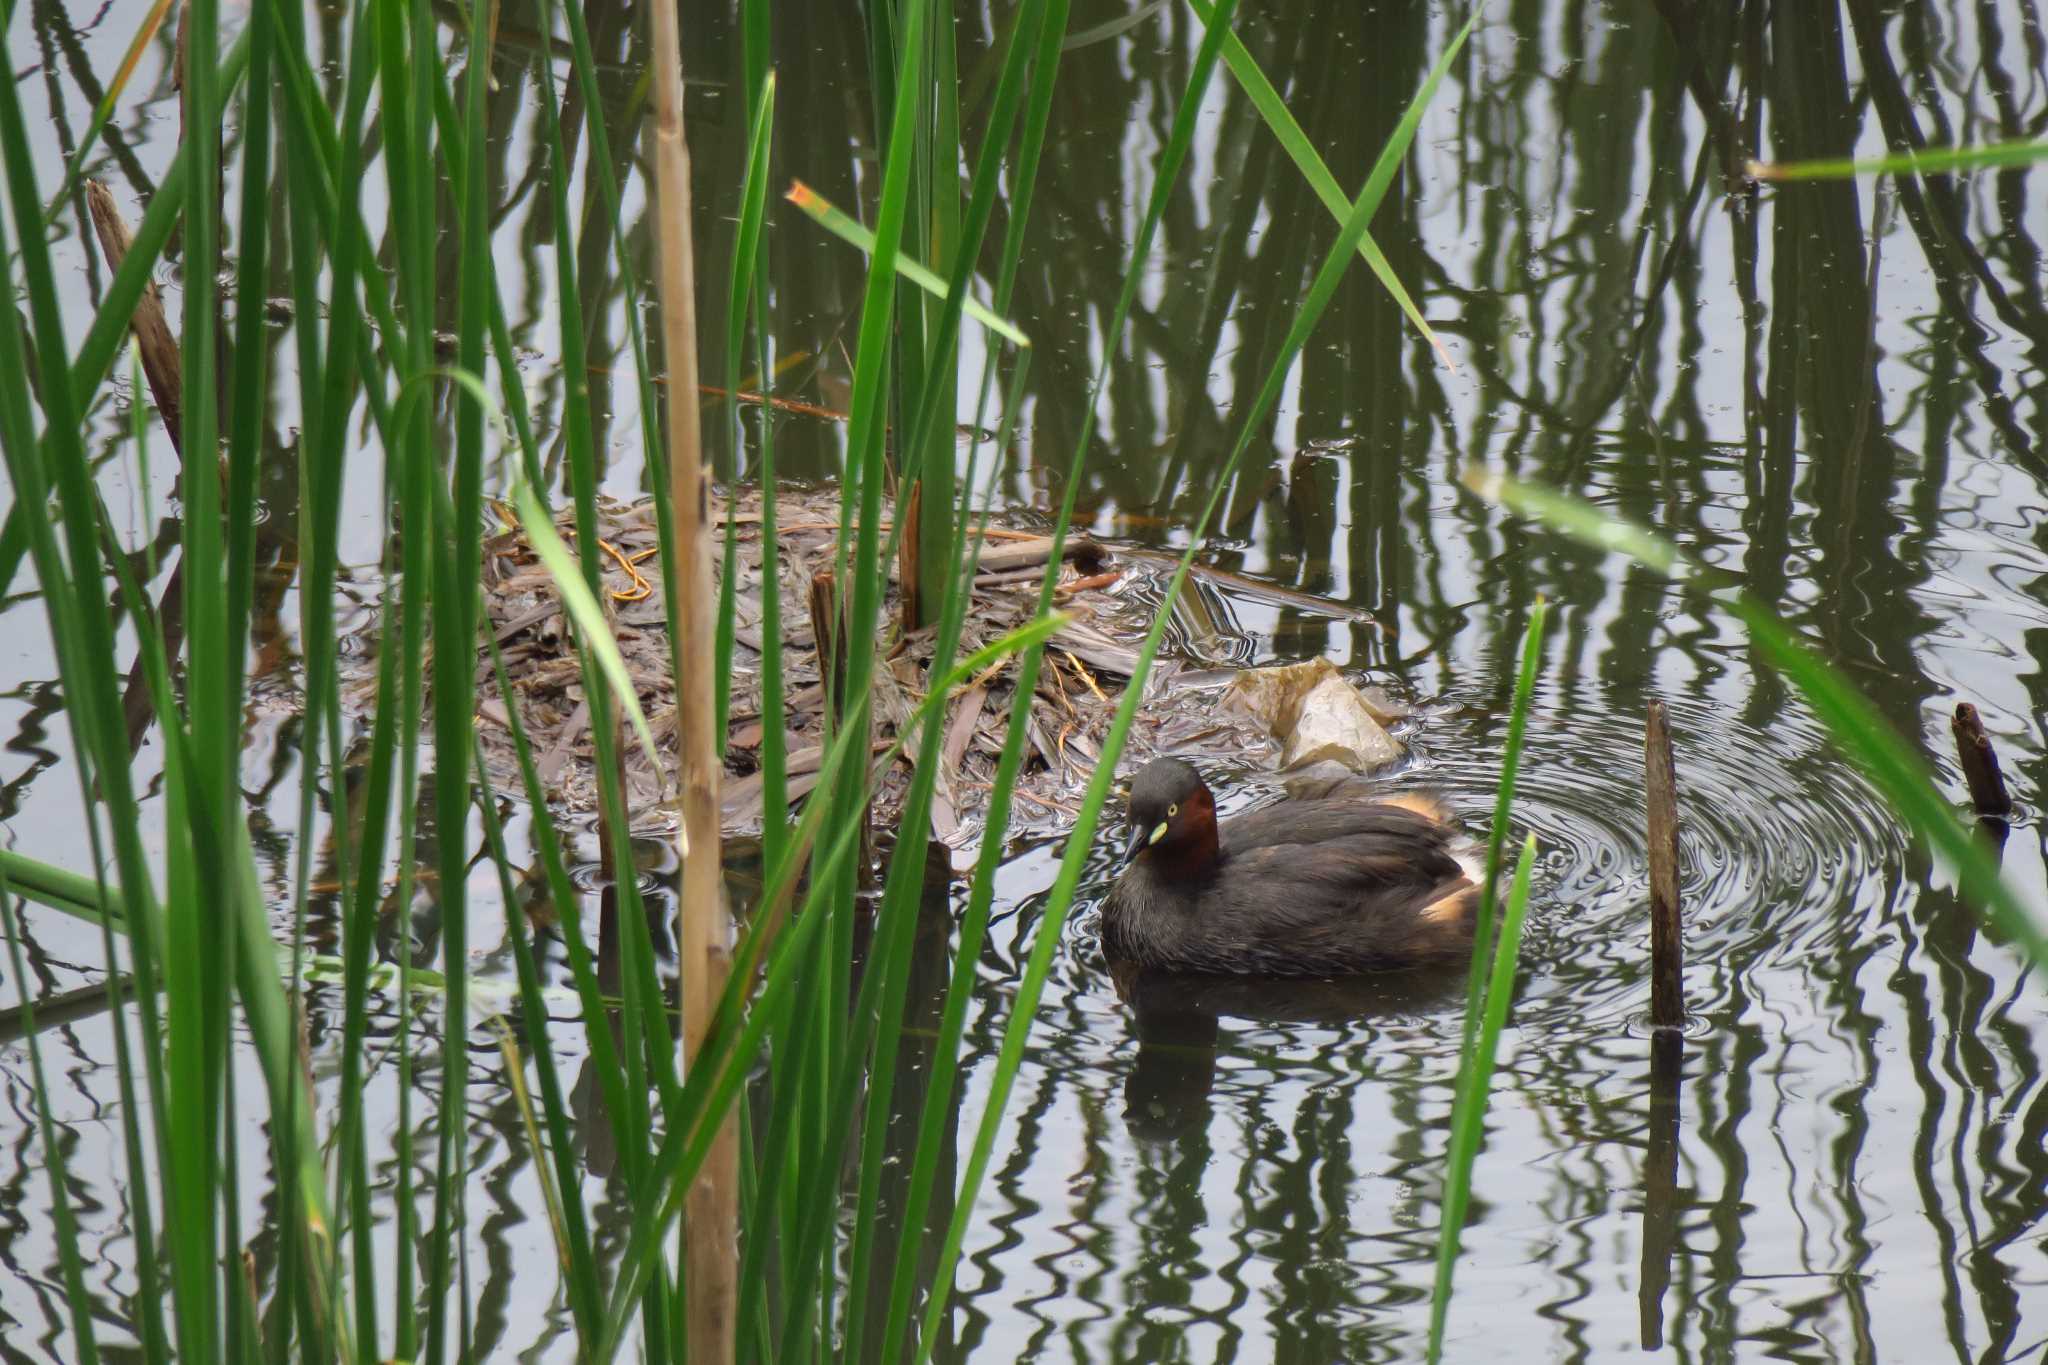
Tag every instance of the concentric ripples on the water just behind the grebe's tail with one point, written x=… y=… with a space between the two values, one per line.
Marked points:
x=1785 y=850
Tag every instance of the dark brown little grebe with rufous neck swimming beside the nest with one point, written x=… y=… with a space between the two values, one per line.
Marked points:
x=1302 y=889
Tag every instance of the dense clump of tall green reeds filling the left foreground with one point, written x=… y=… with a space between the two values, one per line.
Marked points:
x=404 y=322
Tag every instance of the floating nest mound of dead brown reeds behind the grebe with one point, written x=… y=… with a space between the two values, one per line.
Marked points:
x=1109 y=595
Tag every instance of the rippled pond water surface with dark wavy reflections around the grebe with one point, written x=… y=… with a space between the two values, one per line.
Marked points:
x=1826 y=390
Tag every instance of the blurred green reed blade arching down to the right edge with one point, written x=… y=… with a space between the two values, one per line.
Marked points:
x=1857 y=728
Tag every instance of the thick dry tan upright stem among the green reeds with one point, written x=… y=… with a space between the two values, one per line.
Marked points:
x=703 y=930
